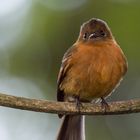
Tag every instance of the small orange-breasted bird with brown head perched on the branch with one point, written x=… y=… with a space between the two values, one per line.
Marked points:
x=91 y=69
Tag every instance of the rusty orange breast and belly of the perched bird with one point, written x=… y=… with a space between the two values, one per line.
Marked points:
x=95 y=72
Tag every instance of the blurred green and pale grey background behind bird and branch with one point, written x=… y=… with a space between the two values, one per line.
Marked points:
x=33 y=38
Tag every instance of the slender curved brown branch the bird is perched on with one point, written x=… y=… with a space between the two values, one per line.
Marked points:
x=119 y=107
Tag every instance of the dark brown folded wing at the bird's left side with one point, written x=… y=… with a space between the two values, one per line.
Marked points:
x=65 y=66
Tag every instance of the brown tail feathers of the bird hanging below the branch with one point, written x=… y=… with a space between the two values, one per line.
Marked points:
x=72 y=128
